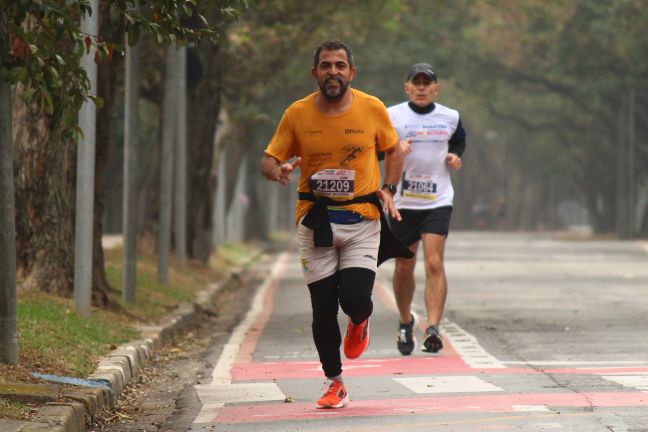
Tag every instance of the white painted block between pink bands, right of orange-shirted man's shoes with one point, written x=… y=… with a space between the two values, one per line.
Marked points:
x=448 y=384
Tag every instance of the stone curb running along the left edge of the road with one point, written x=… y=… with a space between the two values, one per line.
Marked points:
x=116 y=370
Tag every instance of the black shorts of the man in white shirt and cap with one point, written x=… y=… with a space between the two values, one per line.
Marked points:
x=417 y=222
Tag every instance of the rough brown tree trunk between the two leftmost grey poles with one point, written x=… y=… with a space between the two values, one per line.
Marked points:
x=44 y=178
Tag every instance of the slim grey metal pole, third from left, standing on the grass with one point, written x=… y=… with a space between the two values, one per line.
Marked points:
x=131 y=144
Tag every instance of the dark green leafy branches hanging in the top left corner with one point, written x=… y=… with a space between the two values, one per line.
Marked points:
x=41 y=43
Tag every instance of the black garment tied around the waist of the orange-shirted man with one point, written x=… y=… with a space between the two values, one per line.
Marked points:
x=317 y=219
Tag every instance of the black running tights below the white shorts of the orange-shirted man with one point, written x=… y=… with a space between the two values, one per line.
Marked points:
x=351 y=289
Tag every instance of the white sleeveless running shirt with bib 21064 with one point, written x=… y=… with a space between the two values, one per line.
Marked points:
x=425 y=180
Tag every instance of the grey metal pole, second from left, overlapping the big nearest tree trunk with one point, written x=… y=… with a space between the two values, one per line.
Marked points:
x=85 y=177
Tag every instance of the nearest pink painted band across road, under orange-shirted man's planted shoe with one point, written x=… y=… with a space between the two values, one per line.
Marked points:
x=429 y=405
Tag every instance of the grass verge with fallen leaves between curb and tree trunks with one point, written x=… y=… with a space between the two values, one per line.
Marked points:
x=53 y=339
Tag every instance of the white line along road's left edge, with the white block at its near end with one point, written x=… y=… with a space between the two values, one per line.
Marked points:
x=221 y=390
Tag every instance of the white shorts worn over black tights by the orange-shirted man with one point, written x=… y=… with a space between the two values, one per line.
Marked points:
x=354 y=245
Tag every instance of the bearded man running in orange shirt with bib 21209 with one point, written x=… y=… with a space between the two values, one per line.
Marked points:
x=335 y=134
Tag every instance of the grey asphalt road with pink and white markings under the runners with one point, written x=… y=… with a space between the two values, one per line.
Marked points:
x=541 y=334
